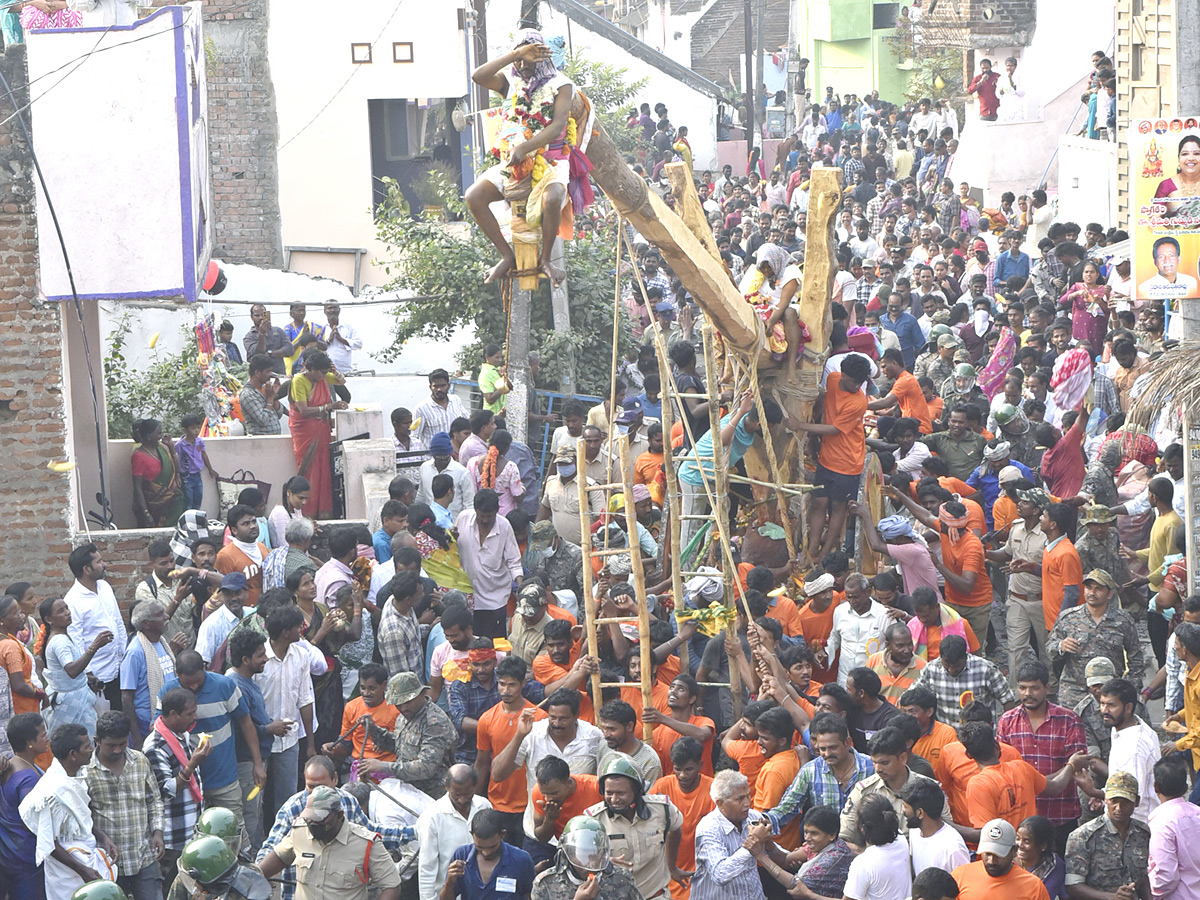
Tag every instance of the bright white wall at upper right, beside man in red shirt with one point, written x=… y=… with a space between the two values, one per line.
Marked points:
x=1000 y=157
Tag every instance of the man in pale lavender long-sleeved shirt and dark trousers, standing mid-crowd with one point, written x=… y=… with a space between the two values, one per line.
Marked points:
x=488 y=548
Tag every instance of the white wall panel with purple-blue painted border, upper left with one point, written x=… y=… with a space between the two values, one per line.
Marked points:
x=125 y=155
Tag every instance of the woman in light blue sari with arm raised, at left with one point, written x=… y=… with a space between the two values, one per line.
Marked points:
x=67 y=669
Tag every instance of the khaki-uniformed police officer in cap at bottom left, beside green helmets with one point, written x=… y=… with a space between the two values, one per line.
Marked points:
x=334 y=859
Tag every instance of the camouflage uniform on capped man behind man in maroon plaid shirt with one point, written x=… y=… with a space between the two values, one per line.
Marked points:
x=1115 y=637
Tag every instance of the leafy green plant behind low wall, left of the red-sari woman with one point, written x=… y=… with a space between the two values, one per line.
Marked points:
x=167 y=389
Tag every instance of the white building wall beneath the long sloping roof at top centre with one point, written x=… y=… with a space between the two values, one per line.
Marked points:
x=687 y=106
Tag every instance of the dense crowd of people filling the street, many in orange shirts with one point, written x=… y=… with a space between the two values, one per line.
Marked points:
x=411 y=711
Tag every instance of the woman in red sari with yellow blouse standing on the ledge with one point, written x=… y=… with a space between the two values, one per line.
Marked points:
x=309 y=422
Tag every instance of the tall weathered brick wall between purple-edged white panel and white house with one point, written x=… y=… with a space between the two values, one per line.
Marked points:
x=243 y=134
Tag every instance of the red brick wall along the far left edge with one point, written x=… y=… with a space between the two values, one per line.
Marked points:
x=33 y=423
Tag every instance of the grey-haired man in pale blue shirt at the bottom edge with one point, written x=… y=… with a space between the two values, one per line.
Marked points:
x=730 y=843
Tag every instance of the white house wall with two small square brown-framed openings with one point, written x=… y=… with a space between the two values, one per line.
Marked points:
x=326 y=190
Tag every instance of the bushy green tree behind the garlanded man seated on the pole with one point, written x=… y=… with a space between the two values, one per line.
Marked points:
x=443 y=267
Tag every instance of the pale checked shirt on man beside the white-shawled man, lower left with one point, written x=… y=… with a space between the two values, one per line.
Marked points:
x=128 y=808
